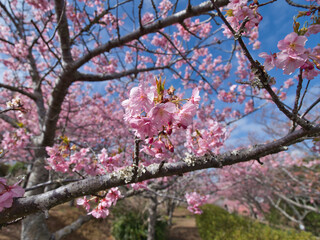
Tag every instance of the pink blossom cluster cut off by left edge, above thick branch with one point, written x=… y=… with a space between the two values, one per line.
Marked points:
x=7 y=193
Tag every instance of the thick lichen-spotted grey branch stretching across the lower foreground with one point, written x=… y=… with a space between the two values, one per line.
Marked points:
x=28 y=205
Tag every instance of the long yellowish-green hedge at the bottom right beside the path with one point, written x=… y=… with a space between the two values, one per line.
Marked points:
x=217 y=224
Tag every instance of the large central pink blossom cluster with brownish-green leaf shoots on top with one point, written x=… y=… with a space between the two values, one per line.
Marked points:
x=154 y=113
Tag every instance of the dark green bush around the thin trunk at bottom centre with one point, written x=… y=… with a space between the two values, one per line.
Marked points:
x=132 y=225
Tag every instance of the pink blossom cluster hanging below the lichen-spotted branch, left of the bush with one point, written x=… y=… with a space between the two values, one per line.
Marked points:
x=102 y=209
